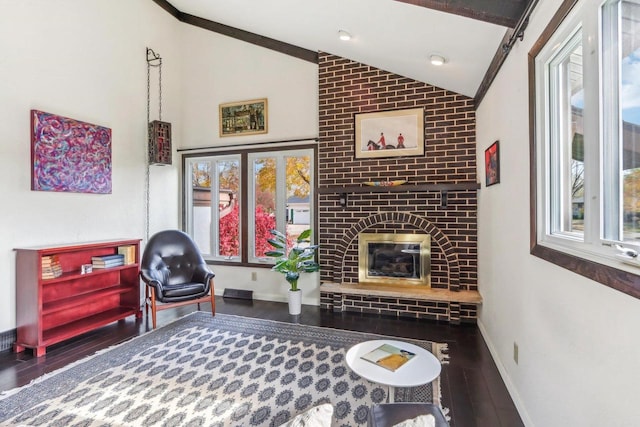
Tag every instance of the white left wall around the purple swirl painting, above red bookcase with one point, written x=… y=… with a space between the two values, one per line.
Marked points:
x=84 y=60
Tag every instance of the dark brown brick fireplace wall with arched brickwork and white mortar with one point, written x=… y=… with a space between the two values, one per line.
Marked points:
x=439 y=198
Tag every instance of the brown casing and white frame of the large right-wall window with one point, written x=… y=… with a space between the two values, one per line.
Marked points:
x=598 y=262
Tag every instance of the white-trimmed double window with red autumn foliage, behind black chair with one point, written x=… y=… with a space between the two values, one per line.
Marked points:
x=233 y=200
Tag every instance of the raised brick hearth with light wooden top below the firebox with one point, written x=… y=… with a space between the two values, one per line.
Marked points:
x=454 y=307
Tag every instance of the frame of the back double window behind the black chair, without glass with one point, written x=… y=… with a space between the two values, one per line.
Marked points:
x=245 y=152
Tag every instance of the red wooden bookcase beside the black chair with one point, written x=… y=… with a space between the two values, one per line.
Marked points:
x=53 y=310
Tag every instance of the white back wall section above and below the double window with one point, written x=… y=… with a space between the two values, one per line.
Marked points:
x=217 y=69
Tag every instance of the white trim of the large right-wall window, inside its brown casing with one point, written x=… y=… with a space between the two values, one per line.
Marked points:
x=585 y=15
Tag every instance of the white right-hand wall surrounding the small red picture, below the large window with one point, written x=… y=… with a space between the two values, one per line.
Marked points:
x=578 y=340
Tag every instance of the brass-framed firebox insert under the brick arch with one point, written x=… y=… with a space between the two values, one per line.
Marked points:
x=394 y=259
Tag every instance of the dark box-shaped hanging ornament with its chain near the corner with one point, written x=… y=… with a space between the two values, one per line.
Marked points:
x=159 y=132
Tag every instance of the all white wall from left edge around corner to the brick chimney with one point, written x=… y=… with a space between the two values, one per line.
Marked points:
x=87 y=60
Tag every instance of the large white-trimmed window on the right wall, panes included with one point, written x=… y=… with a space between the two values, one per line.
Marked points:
x=586 y=96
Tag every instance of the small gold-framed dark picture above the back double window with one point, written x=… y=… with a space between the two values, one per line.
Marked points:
x=244 y=117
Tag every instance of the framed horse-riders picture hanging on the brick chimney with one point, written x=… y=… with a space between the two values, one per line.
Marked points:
x=393 y=133
